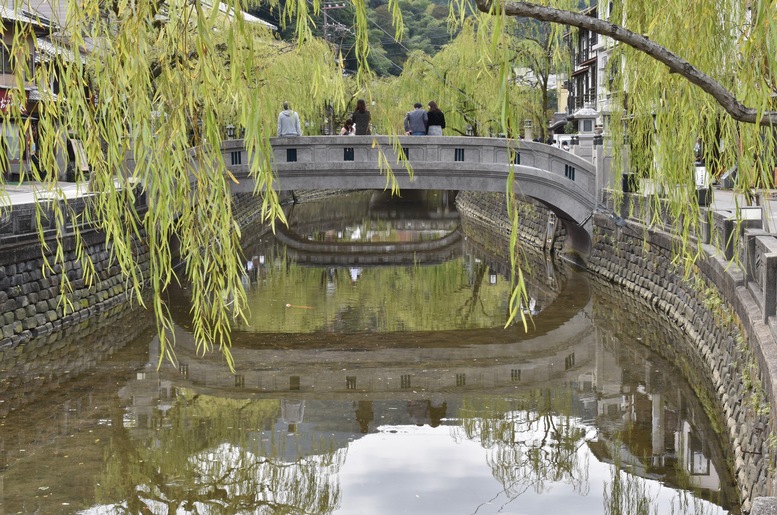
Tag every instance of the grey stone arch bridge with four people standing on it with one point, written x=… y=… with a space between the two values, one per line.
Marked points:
x=564 y=182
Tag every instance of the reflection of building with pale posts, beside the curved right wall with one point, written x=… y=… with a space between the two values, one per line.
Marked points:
x=645 y=425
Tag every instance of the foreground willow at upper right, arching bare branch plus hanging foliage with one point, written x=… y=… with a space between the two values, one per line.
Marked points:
x=685 y=73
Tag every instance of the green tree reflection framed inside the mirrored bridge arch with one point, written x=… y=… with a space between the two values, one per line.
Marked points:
x=391 y=298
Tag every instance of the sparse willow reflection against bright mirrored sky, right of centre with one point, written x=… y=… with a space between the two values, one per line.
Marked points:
x=530 y=439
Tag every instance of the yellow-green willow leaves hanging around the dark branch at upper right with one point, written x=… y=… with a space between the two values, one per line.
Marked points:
x=666 y=114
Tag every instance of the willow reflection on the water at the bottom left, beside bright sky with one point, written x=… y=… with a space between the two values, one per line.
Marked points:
x=214 y=455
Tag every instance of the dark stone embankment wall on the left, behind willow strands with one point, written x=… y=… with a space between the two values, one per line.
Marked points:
x=37 y=300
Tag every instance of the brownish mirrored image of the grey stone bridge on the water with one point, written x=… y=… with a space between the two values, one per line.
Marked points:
x=397 y=364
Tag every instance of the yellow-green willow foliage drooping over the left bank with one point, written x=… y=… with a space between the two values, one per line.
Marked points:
x=169 y=77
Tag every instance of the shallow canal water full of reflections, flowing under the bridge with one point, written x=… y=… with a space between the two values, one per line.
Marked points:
x=373 y=375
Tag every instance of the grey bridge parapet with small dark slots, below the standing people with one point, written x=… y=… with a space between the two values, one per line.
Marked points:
x=352 y=156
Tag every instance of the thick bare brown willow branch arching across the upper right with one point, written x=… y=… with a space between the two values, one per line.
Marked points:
x=676 y=64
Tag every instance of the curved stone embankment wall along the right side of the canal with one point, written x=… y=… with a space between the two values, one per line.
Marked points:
x=721 y=356
